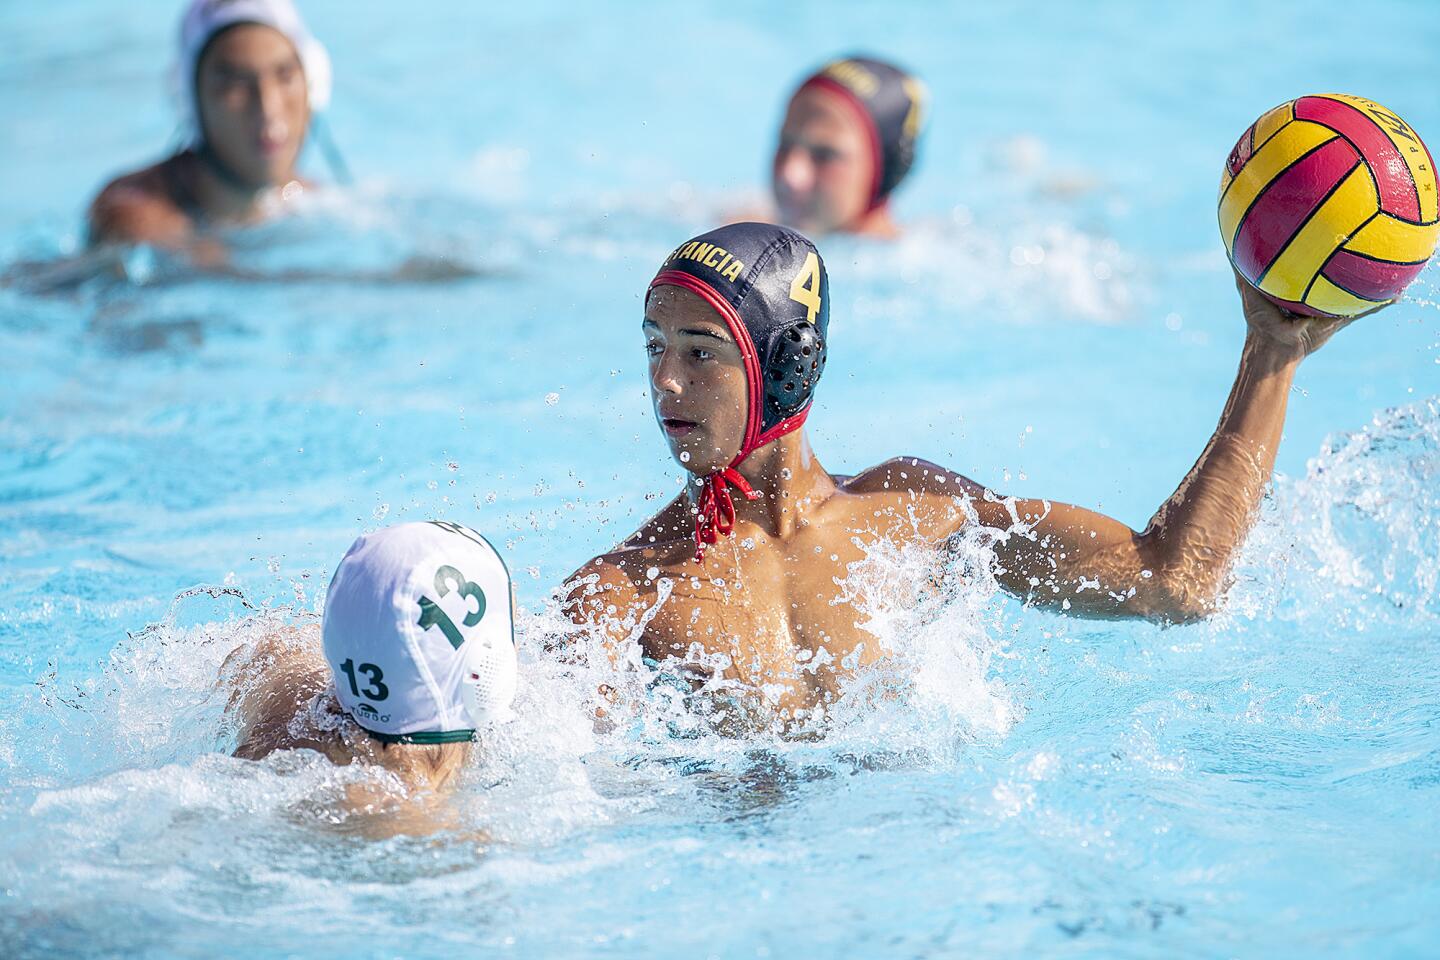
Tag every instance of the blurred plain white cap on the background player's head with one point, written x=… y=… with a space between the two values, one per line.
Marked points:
x=207 y=18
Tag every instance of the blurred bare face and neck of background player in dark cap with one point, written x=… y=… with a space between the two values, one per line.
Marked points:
x=824 y=169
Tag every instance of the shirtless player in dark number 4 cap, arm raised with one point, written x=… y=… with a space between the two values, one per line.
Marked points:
x=752 y=551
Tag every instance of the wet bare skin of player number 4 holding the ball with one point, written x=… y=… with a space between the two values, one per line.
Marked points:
x=765 y=611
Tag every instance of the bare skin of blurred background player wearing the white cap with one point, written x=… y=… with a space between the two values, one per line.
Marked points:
x=254 y=112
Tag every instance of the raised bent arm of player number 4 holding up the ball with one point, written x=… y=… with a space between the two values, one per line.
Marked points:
x=1177 y=569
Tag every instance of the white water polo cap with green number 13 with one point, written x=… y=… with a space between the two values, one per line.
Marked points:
x=418 y=634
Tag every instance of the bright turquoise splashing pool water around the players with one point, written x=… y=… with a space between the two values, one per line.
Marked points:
x=1059 y=322
